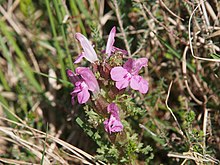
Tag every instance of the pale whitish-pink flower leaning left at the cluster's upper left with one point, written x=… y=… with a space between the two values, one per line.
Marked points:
x=89 y=53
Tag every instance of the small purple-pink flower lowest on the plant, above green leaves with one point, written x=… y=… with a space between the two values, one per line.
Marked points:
x=113 y=124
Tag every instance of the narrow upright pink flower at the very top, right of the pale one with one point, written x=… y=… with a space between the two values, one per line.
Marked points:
x=109 y=47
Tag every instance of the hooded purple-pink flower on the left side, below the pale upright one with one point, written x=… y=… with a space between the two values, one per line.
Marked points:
x=84 y=81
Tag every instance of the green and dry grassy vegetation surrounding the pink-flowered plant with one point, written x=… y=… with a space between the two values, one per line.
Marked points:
x=176 y=122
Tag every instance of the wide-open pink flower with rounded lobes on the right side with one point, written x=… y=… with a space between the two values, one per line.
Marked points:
x=128 y=75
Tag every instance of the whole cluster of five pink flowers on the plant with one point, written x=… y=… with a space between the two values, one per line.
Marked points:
x=85 y=82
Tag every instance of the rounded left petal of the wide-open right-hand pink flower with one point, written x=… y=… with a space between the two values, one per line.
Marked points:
x=118 y=73
